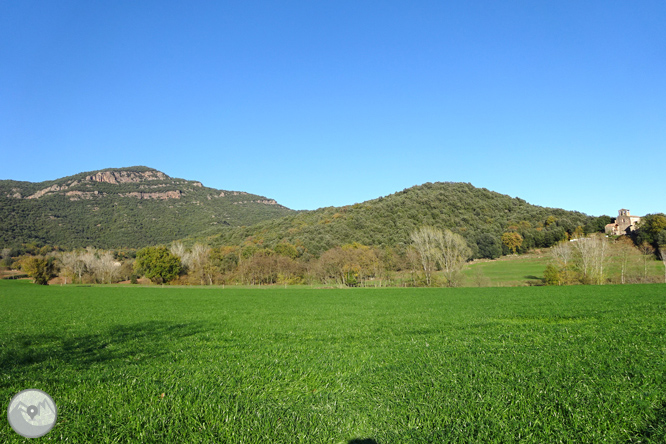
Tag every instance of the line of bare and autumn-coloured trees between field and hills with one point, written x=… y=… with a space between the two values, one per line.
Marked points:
x=434 y=257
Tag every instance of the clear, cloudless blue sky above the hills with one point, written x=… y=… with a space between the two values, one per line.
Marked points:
x=318 y=103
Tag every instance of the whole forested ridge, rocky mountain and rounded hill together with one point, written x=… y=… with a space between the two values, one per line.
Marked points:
x=134 y=207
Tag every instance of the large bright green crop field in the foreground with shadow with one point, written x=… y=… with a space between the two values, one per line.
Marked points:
x=578 y=364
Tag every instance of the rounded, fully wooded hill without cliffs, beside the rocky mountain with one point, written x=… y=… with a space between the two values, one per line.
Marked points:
x=479 y=215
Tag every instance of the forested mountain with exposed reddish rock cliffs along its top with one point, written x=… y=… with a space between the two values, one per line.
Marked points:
x=122 y=207
